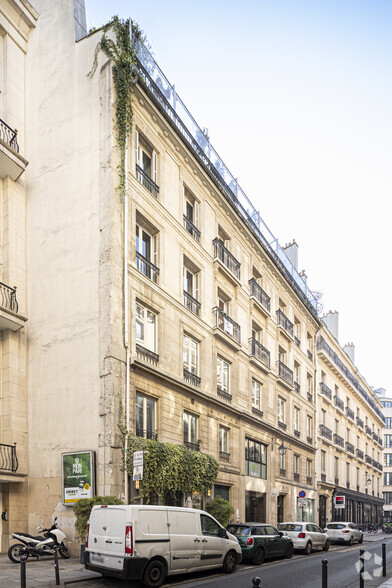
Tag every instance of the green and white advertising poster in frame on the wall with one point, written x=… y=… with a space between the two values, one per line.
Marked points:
x=78 y=476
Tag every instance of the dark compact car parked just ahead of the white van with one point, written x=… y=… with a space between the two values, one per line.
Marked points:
x=260 y=541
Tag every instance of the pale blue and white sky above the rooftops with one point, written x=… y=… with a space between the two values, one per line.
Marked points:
x=297 y=99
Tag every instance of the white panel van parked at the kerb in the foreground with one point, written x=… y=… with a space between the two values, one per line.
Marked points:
x=150 y=542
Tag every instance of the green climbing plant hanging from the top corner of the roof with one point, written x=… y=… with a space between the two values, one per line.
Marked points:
x=121 y=52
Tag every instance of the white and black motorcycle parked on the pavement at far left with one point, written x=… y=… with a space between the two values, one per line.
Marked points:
x=39 y=545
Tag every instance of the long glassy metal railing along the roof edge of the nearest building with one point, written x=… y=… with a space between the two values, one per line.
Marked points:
x=166 y=96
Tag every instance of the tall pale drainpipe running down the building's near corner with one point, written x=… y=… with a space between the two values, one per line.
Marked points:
x=126 y=324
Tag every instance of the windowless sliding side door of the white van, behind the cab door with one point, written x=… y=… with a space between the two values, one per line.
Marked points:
x=185 y=539
